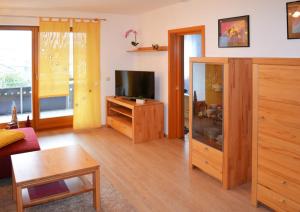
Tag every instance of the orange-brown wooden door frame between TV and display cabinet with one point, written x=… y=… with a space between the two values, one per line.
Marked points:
x=175 y=77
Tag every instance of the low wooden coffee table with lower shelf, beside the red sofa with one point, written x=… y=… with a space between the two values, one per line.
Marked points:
x=69 y=163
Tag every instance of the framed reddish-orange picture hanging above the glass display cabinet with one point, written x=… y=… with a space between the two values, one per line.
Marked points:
x=234 y=32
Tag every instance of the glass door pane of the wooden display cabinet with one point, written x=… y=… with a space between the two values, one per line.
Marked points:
x=207 y=104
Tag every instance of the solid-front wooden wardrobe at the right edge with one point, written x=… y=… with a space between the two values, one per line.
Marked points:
x=276 y=133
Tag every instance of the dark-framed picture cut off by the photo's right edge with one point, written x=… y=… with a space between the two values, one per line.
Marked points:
x=293 y=19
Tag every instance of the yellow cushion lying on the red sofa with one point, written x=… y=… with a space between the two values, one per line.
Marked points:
x=10 y=136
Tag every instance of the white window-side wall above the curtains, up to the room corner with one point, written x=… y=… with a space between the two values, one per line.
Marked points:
x=113 y=45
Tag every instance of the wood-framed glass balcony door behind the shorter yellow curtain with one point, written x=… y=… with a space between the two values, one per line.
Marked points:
x=19 y=82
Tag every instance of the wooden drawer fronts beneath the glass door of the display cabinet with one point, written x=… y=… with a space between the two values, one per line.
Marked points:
x=207 y=159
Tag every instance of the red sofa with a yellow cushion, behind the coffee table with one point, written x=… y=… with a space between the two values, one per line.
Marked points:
x=28 y=144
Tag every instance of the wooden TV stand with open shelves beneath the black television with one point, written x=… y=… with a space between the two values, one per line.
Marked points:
x=141 y=123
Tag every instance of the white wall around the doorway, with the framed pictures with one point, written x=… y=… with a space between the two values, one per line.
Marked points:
x=267 y=32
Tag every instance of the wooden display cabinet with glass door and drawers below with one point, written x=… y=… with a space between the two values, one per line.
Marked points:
x=220 y=90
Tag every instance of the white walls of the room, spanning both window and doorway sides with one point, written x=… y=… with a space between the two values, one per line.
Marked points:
x=267 y=35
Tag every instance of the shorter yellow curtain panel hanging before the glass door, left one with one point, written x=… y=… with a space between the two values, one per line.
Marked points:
x=54 y=58
